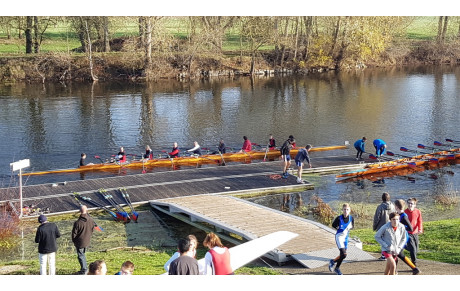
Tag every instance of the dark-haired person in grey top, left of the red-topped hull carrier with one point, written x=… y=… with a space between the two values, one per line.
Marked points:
x=185 y=264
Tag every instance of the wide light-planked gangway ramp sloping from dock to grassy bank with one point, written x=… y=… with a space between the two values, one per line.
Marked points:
x=314 y=246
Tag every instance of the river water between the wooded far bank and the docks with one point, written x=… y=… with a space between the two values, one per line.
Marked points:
x=52 y=124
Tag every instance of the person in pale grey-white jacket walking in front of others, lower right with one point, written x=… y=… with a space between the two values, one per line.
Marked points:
x=392 y=237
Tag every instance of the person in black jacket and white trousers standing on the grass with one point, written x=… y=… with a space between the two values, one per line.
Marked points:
x=46 y=236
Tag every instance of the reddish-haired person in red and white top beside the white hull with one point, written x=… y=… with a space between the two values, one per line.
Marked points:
x=217 y=259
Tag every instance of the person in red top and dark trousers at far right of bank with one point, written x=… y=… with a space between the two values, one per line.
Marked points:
x=415 y=218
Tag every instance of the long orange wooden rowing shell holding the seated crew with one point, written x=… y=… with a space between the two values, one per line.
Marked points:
x=185 y=161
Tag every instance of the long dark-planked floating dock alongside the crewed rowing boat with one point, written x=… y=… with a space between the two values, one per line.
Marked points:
x=231 y=179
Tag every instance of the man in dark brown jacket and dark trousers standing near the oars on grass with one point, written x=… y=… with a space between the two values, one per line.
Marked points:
x=81 y=237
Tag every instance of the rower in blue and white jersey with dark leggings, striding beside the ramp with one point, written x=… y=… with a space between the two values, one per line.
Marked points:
x=343 y=223
